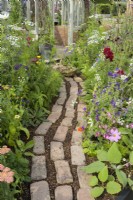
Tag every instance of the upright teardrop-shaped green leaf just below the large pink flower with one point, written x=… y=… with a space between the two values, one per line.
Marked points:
x=114 y=155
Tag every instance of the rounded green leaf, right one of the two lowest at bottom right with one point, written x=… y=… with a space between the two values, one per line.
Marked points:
x=113 y=187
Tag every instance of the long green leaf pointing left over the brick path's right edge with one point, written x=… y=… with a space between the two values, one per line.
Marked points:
x=94 y=167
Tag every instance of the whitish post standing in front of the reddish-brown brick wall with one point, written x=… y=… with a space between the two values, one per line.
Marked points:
x=70 y=29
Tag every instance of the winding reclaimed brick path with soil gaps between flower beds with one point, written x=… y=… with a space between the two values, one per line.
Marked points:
x=64 y=178
